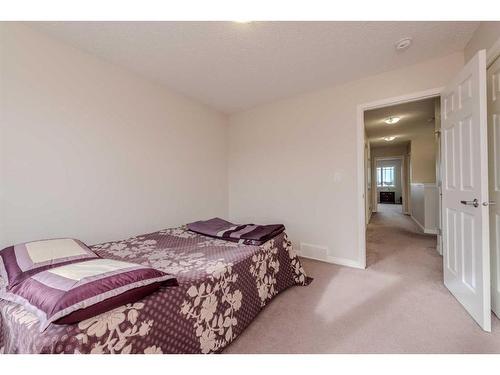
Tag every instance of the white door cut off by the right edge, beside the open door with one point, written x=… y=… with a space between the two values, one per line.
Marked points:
x=494 y=159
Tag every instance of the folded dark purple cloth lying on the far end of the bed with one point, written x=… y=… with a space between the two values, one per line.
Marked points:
x=248 y=234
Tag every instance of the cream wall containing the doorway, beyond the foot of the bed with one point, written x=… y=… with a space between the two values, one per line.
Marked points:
x=295 y=160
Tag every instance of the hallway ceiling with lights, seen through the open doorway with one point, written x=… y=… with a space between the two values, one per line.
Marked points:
x=416 y=117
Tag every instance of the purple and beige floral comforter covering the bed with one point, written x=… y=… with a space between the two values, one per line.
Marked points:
x=222 y=287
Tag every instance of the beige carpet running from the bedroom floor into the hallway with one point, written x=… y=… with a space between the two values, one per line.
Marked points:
x=397 y=305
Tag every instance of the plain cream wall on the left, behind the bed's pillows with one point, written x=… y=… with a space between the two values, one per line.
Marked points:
x=92 y=151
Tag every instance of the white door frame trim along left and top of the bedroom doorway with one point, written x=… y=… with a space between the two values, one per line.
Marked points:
x=360 y=131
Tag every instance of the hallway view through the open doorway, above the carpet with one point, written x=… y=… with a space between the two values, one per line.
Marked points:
x=401 y=141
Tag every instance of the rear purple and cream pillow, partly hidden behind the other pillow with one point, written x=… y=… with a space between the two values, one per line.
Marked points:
x=19 y=262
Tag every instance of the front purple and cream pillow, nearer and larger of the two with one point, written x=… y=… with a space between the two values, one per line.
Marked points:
x=78 y=291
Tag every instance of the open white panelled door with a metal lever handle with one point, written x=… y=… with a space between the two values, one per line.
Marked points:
x=464 y=147
